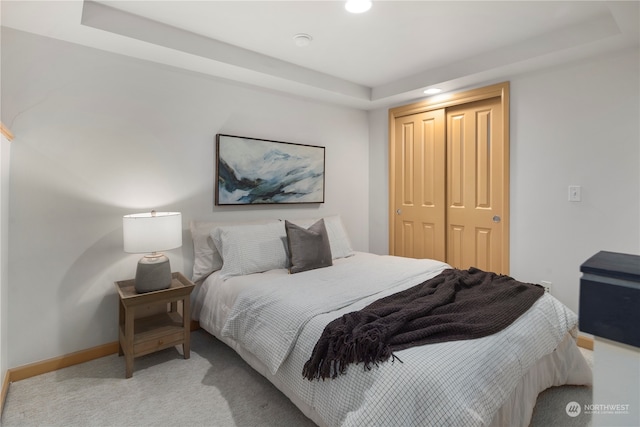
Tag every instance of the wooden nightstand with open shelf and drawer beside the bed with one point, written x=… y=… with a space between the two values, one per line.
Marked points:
x=144 y=335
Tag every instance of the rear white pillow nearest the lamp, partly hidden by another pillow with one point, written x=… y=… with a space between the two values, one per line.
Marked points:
x=207 y=259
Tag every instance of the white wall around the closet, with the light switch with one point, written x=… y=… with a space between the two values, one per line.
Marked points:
x=574 y=125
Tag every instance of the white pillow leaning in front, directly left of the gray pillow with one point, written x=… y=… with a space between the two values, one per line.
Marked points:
x=253 y=248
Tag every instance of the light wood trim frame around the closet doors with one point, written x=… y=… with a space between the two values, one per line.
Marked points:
x=437 y=102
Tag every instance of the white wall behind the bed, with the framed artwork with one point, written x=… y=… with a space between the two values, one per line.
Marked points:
x=99 y=136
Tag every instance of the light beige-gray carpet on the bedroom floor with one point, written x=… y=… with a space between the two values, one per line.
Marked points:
x=214 y=387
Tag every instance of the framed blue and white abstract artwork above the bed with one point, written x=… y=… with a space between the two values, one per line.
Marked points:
x=252 y=171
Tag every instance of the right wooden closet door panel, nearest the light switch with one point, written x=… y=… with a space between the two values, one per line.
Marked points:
x=475 y=176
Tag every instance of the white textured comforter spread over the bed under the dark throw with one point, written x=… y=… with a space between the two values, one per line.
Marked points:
x=279 y=317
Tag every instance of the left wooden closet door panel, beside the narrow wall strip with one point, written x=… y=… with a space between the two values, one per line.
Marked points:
x=419 y=186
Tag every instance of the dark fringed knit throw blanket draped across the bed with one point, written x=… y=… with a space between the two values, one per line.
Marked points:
x=455 y=305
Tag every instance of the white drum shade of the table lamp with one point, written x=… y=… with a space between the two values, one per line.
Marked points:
x=152 y=232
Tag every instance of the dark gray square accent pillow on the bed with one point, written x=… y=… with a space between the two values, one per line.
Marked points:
x=309 y=248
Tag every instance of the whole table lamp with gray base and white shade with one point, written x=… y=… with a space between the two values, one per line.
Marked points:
x=151 y=233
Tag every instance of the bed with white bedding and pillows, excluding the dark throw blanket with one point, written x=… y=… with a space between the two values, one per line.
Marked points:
x=247 y=298
